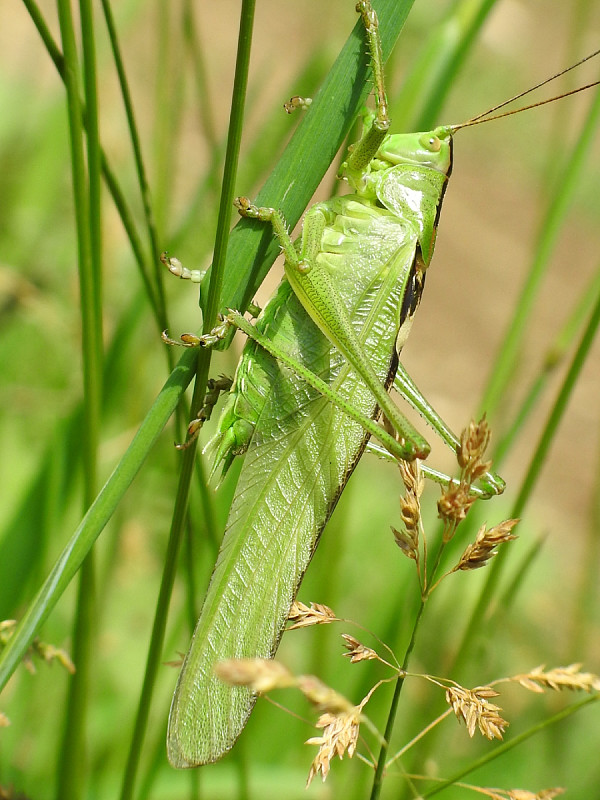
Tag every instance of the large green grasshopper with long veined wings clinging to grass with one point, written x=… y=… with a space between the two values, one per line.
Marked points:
x=308 y=391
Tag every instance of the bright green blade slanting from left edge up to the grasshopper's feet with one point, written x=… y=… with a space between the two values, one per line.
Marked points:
x=99 y=514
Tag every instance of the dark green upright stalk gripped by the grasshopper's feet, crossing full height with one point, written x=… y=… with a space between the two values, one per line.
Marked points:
x=187 y=467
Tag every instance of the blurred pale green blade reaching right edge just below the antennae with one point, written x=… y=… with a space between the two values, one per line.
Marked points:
x=556 y=212
